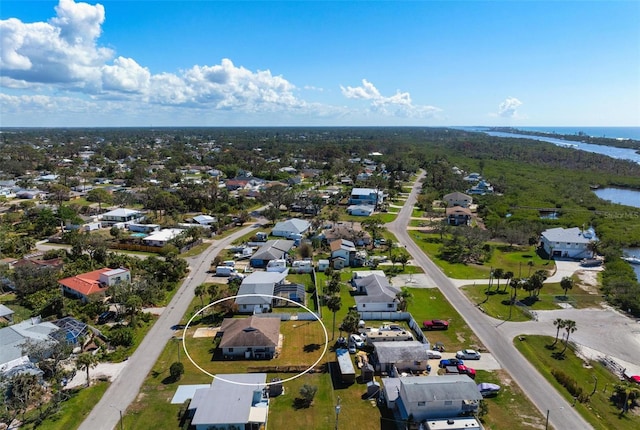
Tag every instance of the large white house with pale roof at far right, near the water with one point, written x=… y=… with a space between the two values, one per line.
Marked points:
x=568 y=242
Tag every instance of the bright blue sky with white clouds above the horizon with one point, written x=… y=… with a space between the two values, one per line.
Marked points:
x=218 y=63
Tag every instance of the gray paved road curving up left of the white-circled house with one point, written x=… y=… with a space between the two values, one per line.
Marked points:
x=124 y=389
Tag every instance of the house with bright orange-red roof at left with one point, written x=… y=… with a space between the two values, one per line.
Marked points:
x=93 y=283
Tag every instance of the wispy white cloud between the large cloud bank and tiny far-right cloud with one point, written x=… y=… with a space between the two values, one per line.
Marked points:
x=399 y=104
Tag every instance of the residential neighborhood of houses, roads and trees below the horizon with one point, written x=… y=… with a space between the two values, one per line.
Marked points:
x=294 y=278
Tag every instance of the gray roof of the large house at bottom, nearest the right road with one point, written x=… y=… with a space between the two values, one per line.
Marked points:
x=439 y=388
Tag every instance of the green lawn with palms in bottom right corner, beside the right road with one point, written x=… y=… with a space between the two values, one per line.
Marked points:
x=600 y=412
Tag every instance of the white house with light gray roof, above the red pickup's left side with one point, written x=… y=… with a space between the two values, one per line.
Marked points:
x=375 y=293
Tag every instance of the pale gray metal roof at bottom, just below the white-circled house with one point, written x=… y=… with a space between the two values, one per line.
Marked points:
x=225 y=402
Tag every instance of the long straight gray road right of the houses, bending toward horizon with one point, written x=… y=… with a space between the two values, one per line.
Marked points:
x=542 y=394
